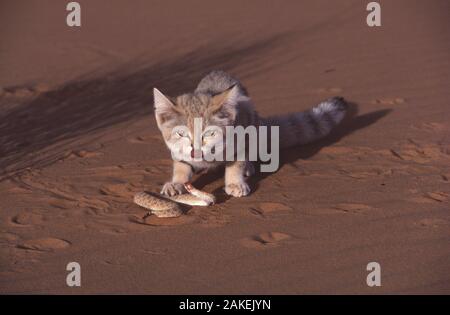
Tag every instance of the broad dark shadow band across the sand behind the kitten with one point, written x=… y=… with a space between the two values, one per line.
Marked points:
x=99 y=100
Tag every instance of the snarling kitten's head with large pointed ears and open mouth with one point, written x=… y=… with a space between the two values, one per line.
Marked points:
x=179 y=120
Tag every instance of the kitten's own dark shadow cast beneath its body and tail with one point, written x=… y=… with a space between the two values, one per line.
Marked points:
x=351 y=123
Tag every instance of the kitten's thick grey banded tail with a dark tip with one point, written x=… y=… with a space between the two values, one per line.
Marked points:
x=308 y=126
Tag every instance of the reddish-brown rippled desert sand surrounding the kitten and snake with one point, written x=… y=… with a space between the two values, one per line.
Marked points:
x=78 y=139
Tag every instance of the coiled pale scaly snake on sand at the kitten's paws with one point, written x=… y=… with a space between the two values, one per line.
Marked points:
x=169 y=206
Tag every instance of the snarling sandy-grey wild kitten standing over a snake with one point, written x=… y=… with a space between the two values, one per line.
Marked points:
x=221 y=100
